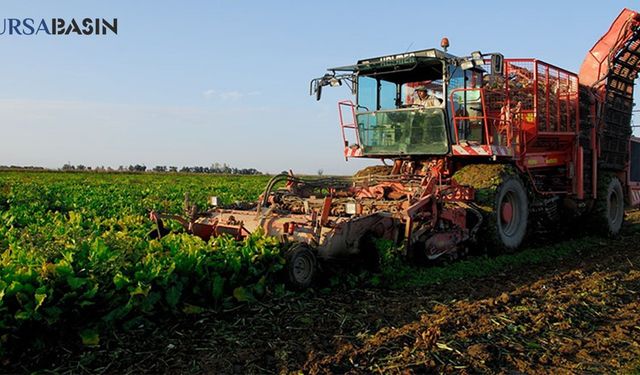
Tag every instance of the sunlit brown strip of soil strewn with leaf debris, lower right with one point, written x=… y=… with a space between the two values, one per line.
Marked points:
x=574 y=322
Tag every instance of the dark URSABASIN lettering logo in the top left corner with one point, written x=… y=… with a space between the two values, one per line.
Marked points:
x=59 y=26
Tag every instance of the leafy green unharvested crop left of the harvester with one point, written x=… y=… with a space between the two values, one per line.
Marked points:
x=75 y=252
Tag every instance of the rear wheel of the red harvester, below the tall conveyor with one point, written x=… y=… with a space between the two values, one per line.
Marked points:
x=609 y=209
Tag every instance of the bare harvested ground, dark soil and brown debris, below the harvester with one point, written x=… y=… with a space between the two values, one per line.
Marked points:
x=578 y=315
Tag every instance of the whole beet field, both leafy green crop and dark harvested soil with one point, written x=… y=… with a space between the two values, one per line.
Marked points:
x=81 y=279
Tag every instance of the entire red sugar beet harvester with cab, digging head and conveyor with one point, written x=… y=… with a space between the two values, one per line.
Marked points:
x=507 y=147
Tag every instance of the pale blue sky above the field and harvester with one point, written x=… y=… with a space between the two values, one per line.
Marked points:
x=198 y=82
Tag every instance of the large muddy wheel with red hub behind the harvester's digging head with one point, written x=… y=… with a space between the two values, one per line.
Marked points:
x=511 y=213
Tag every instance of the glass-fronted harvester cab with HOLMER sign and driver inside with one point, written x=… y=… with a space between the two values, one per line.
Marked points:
x=392 y=118
